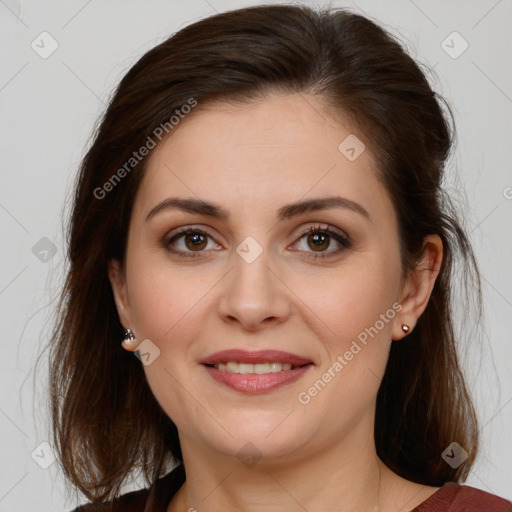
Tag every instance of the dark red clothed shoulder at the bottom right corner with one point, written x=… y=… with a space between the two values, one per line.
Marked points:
x=464 y=498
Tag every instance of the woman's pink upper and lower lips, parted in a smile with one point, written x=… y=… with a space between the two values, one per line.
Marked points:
x=256 y=383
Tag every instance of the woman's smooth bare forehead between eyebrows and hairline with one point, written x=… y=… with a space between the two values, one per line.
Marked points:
x=251 y=156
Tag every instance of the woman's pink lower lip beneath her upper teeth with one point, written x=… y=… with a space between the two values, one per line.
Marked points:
x=253 y=383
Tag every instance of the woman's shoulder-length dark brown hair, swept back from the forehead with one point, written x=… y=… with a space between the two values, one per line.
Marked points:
x=105 y=419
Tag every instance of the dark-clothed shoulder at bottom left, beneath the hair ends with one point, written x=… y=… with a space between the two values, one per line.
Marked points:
x=154 y=499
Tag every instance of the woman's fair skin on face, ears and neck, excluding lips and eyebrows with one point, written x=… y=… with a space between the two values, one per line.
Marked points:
x=252 y=159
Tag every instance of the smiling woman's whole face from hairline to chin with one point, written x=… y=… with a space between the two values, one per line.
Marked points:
x=249 y=277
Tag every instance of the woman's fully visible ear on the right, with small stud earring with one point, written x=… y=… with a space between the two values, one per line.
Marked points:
x=419 y=284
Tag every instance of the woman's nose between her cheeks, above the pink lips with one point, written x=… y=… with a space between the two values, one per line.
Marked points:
x=254 y=295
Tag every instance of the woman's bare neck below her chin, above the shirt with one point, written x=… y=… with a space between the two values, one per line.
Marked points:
x=347 y=477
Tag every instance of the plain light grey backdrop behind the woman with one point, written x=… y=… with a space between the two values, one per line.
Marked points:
x=51 y=94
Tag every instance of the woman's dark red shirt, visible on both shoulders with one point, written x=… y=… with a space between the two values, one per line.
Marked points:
x=451 y=497
